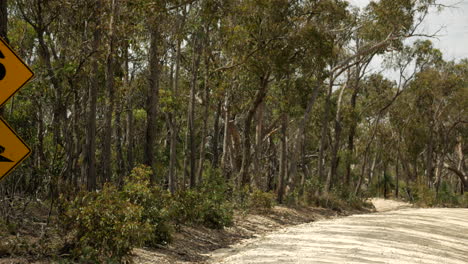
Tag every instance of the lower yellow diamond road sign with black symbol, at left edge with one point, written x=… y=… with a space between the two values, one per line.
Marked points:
x=13 y=150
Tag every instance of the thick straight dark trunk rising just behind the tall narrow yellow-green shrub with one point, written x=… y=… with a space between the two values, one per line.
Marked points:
x=153 y=98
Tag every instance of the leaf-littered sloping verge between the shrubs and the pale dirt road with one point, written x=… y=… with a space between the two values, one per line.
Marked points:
x=197 y=244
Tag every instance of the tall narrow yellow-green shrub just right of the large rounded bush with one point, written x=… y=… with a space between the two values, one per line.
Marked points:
x=154 y=202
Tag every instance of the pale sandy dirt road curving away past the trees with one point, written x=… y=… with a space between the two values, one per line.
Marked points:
x=406 y=235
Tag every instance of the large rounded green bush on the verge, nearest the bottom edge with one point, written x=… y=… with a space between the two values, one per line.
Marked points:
x=104 y=226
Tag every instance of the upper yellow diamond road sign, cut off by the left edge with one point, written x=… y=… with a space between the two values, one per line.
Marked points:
x=14 y=73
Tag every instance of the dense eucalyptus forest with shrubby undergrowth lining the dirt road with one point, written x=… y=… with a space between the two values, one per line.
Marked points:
x=146 y=116
